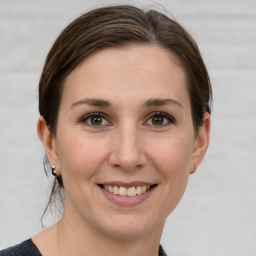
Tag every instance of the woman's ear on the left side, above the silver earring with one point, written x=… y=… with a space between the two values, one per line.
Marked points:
x=49 y=142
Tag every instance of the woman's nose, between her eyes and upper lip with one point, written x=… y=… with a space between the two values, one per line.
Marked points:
x=127 y=152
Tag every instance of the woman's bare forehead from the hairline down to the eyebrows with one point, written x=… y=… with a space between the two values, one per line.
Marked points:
x=127 y=72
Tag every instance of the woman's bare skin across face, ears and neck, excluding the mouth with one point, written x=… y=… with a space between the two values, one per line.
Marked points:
x=126 y=146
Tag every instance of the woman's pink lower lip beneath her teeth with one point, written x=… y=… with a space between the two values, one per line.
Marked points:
x=128 y=200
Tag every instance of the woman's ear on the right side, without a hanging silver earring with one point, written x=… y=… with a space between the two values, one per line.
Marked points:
x=201 y=142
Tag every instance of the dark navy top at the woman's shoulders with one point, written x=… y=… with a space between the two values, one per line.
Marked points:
x=28 y=248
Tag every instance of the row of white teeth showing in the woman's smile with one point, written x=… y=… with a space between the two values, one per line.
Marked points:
x=123 y=191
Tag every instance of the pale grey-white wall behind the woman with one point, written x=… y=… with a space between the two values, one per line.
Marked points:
x=217 y=215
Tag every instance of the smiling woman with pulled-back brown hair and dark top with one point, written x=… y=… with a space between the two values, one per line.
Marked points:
x=125 y=118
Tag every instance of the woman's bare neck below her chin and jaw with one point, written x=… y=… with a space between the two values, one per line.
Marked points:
x=89 y=240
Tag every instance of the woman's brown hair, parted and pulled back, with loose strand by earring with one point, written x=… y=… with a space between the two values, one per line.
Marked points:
x=116 y=26
